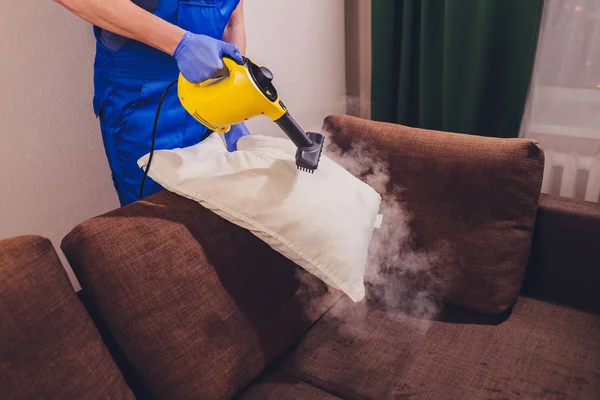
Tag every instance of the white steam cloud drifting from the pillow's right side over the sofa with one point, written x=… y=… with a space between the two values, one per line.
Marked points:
x=403 y=282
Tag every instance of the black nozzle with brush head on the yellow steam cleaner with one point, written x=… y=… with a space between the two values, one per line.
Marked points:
x=309 y=145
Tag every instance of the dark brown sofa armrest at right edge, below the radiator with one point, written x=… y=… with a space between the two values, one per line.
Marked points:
x=564 y=266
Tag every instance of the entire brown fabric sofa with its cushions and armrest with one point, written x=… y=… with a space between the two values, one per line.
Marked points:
x=190 y=306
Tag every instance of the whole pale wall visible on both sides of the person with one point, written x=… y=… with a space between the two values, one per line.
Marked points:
x=53 y=171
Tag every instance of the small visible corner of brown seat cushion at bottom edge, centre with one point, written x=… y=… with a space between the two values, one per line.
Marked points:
x=279 y=386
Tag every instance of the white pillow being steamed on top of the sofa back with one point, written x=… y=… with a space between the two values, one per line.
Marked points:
x=322 y=221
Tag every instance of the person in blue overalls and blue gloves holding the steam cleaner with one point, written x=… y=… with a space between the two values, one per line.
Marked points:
x=141 y=47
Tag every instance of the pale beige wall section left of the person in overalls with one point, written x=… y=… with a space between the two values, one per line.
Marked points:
x=53 y=172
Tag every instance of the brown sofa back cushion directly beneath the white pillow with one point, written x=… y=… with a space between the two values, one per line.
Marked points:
x=198 y=305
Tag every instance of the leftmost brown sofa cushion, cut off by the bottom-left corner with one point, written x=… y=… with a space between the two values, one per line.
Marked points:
x=49 y=347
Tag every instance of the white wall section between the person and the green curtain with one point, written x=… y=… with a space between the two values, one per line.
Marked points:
x=302 y=43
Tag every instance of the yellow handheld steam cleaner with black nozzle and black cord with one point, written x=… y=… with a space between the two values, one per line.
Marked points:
x=241 y=91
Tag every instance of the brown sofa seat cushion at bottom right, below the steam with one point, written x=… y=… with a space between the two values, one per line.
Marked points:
x=540 y=351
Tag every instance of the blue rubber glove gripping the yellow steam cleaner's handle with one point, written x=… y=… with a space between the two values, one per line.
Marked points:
x=200 y=57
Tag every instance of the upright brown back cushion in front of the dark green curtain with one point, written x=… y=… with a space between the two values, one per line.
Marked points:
x=476 y=194
